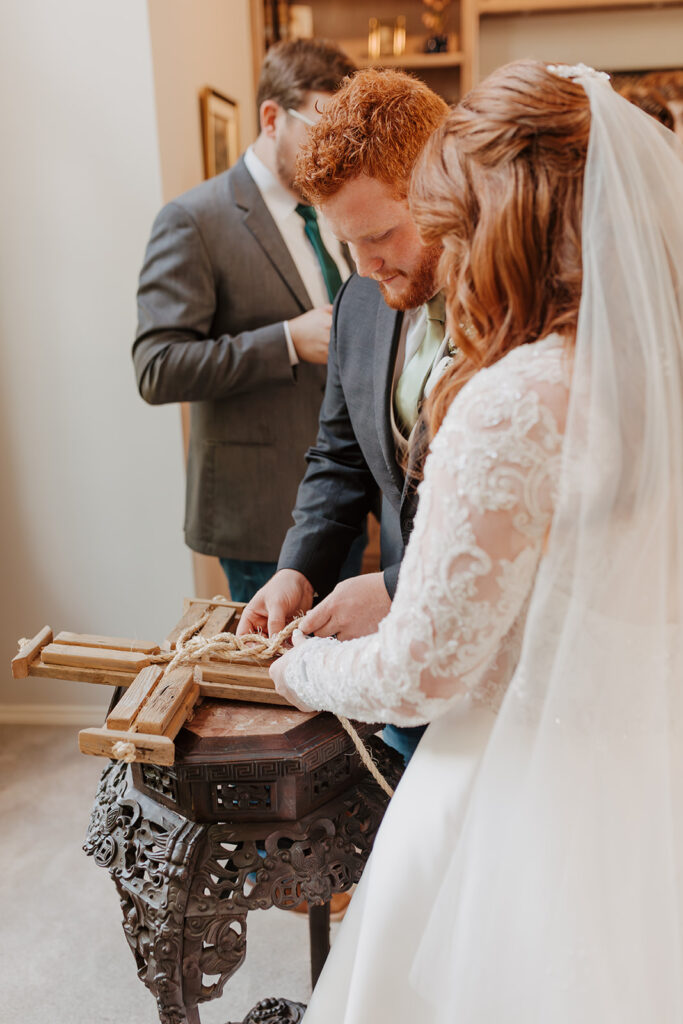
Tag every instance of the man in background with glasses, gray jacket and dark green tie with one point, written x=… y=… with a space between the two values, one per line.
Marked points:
x=235 y=308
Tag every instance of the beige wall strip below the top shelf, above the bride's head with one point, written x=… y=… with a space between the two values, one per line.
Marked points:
x=613 y=39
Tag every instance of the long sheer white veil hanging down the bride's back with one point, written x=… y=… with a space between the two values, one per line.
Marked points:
x=564 y=900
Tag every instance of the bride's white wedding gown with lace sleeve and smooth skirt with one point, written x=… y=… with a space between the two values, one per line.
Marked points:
x=445 y=655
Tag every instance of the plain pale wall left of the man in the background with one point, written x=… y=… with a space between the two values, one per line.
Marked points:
x=99 y=102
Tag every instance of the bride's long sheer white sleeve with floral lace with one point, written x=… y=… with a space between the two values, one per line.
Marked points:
x=486 y=503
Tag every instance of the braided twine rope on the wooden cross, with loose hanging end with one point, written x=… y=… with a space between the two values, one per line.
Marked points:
x=251 y=648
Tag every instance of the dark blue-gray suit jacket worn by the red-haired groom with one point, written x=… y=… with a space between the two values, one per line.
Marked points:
x=354 y=458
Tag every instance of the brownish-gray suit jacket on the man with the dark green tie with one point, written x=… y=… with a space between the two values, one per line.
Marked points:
x=217 y=285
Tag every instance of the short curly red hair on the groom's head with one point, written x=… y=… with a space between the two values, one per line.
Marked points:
x=376 y=124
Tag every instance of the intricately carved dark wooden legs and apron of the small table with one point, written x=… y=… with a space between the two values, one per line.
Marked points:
x=186 y=888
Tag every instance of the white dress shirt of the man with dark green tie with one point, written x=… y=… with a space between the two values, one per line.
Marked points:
x=282 y=207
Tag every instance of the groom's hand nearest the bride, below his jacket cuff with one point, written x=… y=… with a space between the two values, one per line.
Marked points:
x=355 y=609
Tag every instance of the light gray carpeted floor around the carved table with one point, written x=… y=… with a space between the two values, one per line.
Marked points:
x=64 y=957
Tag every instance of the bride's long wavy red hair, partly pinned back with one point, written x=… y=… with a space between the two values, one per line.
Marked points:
x=500 y=185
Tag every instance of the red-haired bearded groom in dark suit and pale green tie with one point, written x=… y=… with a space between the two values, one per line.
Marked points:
x=388 y=334
